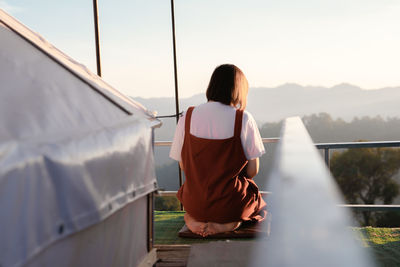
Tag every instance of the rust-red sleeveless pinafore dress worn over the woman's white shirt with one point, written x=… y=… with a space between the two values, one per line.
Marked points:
x=216 y=189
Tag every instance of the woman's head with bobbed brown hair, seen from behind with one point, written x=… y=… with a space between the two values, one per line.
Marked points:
x=229 y=86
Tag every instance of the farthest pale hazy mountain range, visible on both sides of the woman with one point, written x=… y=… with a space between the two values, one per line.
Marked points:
x=344 y=101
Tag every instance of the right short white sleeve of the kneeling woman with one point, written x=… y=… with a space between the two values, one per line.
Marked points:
x=251 y=139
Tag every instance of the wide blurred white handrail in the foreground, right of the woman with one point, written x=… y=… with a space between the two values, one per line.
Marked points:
x=308 y=228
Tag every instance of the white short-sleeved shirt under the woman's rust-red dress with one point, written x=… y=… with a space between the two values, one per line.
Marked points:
x=214 y=120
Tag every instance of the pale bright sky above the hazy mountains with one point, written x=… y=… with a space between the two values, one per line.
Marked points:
x=309 y=42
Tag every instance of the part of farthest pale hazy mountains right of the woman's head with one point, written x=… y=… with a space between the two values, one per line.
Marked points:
x=341 y=101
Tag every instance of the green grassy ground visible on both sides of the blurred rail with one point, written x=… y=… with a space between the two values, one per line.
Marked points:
x=384 y=242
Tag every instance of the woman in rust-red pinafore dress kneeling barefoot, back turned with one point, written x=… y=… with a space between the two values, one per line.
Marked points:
x=218 y=145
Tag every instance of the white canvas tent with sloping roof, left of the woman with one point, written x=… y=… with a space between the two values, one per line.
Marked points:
x=76 y=160
